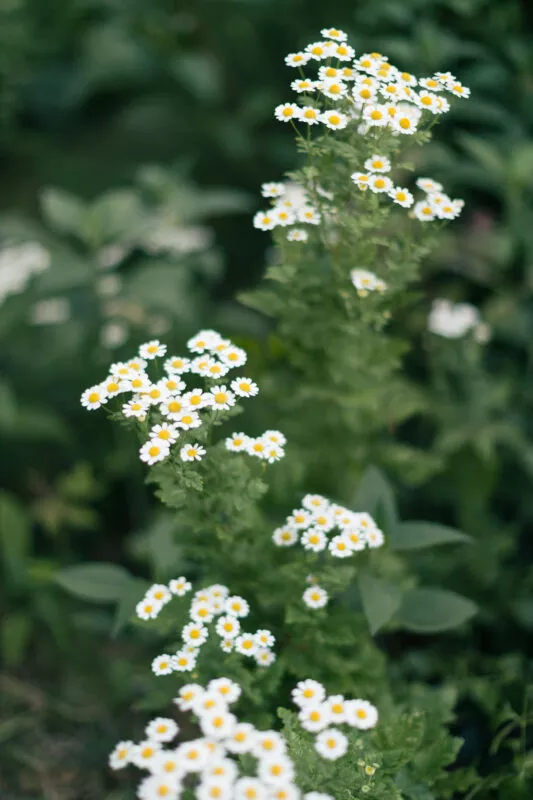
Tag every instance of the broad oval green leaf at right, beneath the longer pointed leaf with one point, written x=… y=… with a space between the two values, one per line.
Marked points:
x=434 y=610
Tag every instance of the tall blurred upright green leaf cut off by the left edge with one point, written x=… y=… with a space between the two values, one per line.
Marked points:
x=14 y=536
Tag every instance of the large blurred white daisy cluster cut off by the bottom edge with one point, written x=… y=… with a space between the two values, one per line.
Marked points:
x=210 y=765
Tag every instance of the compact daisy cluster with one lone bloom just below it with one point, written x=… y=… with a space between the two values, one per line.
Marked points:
x=311 y=525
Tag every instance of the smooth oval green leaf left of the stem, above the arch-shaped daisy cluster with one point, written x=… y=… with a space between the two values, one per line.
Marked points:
x=97 y=583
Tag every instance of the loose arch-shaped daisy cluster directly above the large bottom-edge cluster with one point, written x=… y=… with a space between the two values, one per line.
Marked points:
x=212 y=608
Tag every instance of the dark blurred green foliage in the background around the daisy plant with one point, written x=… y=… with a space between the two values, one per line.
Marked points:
x=168 y=107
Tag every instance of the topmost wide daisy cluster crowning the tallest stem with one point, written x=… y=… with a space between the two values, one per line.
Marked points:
x=367 y=89
